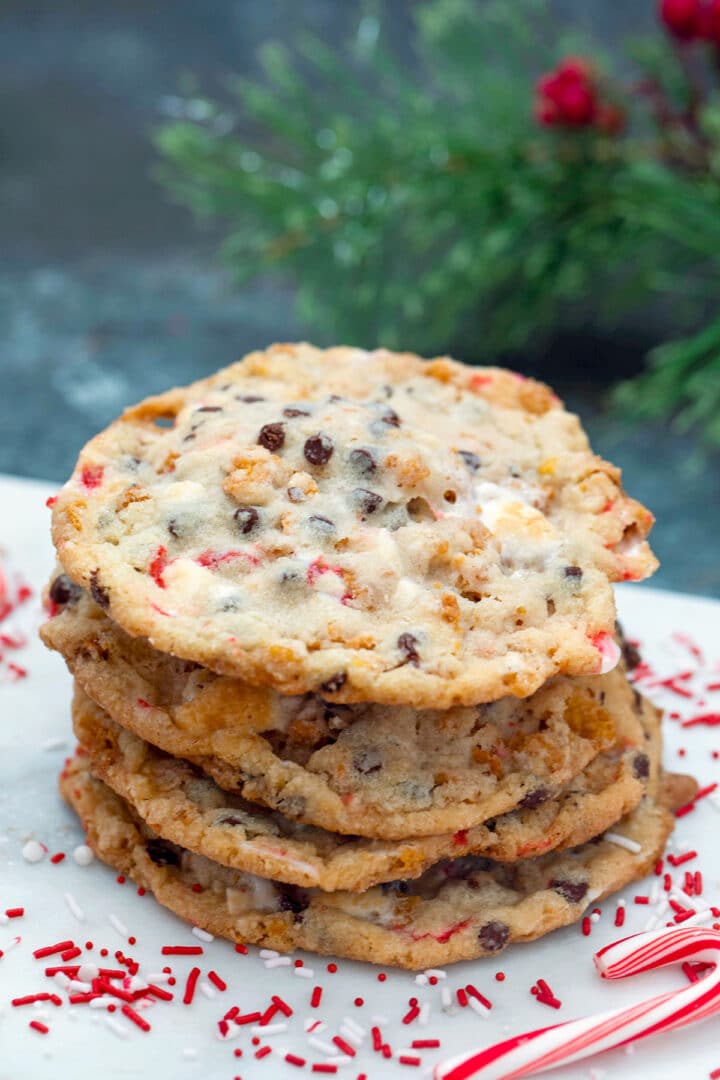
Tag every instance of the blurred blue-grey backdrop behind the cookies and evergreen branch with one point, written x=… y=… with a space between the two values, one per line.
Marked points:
x=108 y=292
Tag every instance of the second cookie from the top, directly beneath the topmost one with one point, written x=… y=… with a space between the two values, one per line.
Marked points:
x=371 y=771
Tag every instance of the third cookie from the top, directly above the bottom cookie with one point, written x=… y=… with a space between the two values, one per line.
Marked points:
x=181 y=804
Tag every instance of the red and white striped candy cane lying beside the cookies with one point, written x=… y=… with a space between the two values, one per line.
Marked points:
x=564 y=1044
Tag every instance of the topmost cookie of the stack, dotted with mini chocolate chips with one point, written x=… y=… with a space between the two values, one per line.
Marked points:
x=368 y=525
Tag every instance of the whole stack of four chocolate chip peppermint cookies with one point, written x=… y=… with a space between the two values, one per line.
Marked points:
x=347 y=679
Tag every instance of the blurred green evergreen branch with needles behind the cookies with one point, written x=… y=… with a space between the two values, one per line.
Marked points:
x=419 y=204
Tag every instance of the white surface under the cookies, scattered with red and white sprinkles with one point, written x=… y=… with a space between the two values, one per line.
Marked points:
x=80 y=1045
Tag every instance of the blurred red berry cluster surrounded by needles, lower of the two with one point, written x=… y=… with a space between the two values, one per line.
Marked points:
x=569 y=98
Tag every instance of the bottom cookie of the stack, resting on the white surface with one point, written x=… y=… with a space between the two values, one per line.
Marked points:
x=459 y=910
